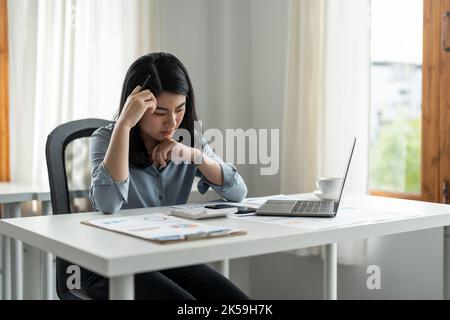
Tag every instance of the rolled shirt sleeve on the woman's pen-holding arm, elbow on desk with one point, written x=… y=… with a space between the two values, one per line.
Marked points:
x=105 y=194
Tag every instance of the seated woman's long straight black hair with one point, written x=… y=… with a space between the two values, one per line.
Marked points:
x=168 y=74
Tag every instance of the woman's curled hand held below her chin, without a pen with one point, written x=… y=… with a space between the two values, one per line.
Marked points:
x=170 y=149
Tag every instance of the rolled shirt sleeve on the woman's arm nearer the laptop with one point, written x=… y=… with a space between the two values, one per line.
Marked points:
x=233 y=188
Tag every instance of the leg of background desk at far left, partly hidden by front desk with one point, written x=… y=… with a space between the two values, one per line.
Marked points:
x=16 y=257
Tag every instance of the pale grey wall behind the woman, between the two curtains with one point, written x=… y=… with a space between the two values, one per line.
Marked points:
x=235 y=55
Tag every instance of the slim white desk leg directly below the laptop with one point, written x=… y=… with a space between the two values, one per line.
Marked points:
x=330 y=272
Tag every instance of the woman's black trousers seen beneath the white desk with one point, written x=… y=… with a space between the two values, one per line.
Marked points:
x=198 y=282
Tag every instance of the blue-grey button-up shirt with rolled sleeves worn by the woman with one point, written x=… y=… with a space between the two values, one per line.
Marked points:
x=150 y=187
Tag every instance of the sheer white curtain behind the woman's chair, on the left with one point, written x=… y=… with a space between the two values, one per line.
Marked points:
x=68 y=60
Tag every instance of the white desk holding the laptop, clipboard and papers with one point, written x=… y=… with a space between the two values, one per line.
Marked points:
x=119 y=256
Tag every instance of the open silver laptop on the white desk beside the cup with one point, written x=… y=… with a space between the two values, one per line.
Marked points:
x=306 y=208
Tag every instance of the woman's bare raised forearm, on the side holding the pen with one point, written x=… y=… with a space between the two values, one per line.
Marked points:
x=116 y=158
